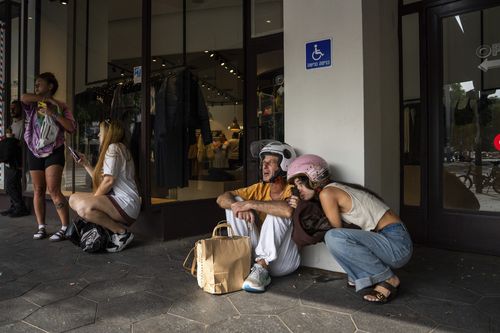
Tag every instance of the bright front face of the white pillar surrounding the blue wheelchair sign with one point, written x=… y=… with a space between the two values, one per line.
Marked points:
x=329 y=100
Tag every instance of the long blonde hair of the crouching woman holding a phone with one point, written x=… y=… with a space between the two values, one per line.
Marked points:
x=113 y=133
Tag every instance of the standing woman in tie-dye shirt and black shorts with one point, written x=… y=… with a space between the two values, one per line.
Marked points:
x=46 y=157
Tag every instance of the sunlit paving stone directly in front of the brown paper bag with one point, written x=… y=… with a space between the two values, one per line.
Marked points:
x=204 y=308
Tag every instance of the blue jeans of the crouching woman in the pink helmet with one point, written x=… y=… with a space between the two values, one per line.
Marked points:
x=367 y=257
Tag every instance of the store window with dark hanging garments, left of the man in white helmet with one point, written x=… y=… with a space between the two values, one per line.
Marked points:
x=200 y=158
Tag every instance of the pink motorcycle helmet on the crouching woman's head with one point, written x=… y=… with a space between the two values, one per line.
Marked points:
x=311 y=166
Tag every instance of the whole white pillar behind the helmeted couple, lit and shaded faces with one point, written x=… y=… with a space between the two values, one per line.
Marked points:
x=349 y=113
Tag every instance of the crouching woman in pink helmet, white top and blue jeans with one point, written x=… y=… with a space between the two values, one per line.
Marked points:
x=367 y=255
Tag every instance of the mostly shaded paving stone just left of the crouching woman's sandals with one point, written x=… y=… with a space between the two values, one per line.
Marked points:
x=332 y=296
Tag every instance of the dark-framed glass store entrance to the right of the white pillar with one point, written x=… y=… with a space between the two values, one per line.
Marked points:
x=450 y=157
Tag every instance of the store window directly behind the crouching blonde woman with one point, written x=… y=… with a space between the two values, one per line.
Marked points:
x=108 y=50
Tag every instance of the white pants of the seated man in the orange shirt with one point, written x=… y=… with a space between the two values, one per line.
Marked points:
x=274 y=244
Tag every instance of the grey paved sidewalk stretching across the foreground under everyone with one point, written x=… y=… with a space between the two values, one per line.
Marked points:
x=55 y=287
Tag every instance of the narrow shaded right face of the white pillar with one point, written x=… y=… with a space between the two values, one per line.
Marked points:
x=381 y=98
